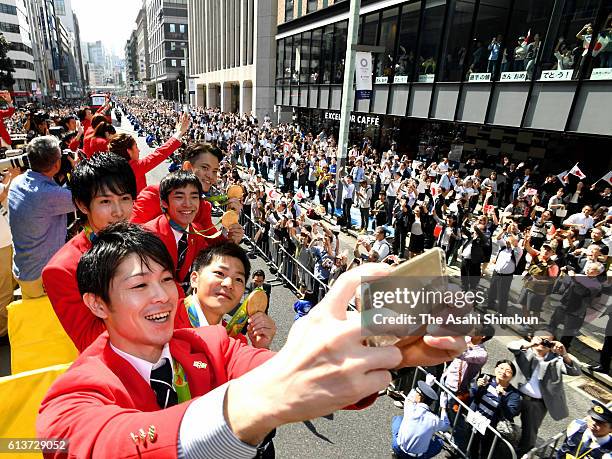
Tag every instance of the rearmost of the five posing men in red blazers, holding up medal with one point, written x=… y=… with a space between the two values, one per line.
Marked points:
x=203 y=160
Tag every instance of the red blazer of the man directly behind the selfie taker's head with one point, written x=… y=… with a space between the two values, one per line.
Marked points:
x=59 y=279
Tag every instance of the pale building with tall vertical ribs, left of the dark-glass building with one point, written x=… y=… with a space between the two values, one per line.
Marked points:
x=232 y=54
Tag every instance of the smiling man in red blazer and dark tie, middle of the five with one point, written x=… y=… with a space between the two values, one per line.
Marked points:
x=180 y=194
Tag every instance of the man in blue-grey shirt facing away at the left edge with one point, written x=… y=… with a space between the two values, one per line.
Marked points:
x=37 y=215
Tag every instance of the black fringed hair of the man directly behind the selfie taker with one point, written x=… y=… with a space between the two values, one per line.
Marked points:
x=100 y=173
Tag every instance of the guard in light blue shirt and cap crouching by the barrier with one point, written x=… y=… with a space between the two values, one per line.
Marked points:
x=413 y=433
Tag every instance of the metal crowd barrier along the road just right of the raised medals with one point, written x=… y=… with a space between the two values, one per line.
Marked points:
x=290 y=269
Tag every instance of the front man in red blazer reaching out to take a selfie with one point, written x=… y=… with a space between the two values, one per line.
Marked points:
x=145 y=389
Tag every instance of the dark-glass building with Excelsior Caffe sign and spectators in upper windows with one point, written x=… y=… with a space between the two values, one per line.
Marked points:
x=519 y=77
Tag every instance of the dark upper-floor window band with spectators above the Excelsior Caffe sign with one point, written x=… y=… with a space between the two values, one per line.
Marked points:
x=429 y=41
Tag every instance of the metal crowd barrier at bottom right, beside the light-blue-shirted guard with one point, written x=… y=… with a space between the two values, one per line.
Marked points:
x=500 y=447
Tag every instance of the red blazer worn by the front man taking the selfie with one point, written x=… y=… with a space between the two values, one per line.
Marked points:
x=102 y=399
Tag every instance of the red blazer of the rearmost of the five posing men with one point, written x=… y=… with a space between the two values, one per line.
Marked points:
x=147 y=207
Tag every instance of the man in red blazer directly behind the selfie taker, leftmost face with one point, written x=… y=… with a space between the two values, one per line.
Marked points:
x=103 y=188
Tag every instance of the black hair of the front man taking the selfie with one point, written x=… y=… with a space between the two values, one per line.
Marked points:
x=112 y=245
